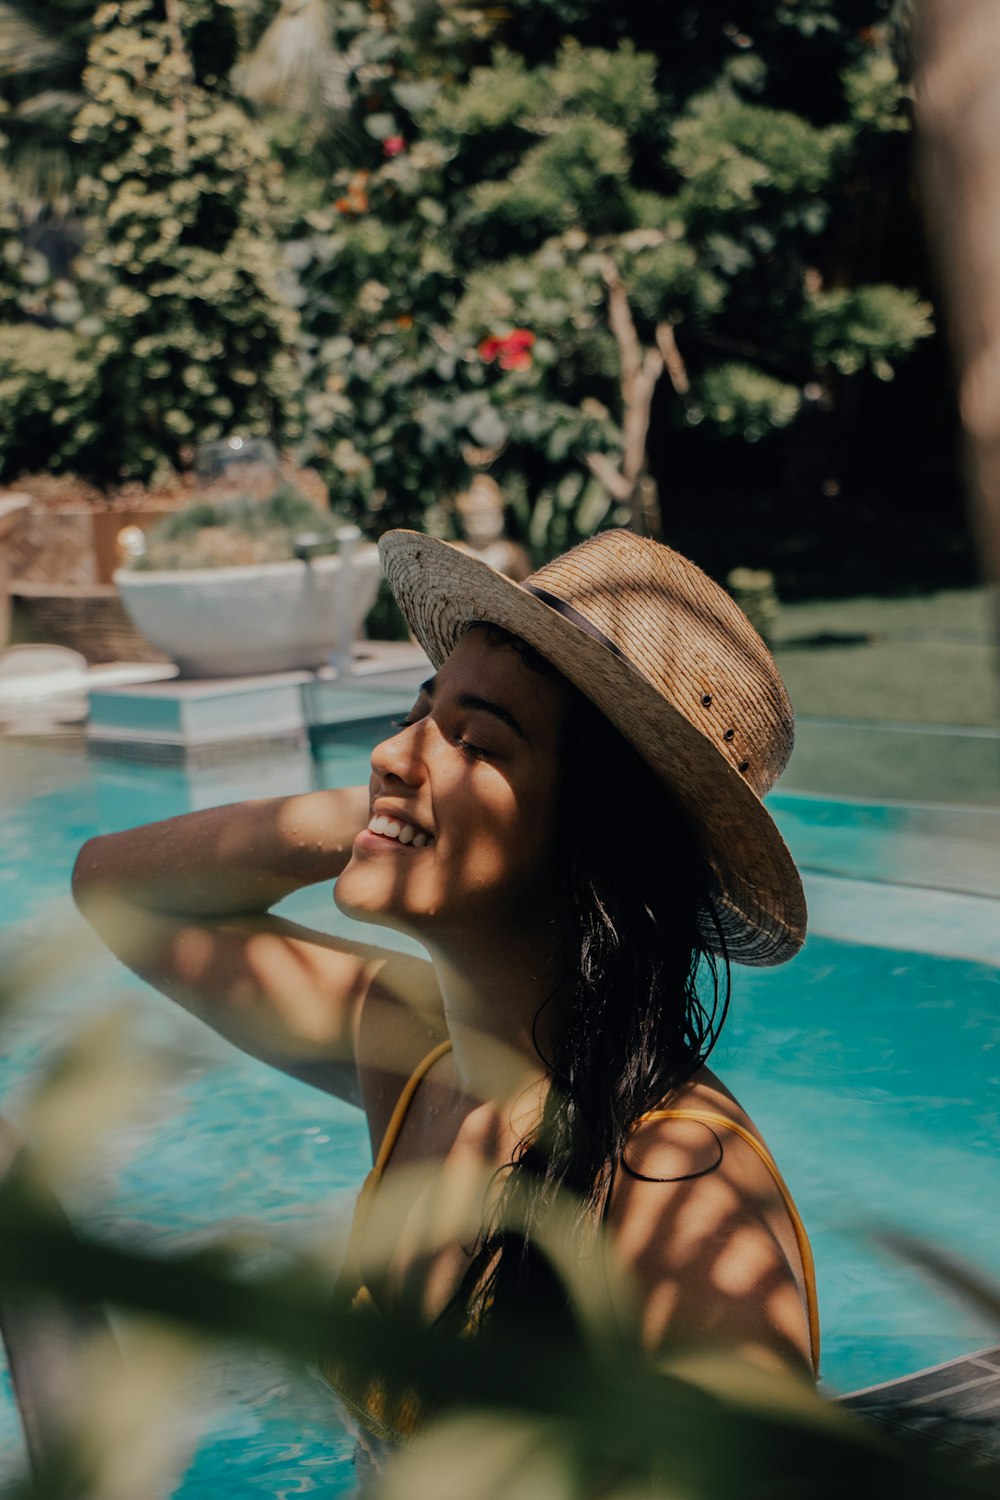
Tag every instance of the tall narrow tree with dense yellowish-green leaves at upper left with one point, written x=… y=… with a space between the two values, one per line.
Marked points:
x=194 y=337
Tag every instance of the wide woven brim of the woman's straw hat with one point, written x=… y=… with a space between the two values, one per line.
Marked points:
x=761 y=902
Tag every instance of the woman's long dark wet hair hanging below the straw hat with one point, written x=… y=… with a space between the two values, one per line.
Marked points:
x=636 y=896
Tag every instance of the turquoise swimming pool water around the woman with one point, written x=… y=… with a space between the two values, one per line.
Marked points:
x=872 y=1064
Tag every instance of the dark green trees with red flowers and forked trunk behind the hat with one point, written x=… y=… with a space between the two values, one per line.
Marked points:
x=534 y=229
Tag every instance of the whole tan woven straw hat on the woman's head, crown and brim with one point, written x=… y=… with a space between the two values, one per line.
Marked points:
x=678 y=670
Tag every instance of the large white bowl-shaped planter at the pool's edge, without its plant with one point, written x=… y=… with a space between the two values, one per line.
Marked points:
x=235 y=622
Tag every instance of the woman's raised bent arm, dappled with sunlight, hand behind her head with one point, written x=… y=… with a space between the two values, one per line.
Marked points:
x=187 y=905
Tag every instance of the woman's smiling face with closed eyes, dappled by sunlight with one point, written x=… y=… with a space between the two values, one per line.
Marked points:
x=463 y=802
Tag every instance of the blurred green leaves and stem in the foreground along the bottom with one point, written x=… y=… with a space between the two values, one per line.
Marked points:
x=522 y=1414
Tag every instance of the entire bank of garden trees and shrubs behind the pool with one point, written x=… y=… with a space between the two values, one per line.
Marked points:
x=552 y=241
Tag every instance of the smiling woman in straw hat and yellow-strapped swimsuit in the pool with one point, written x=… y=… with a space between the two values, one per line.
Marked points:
x=570 y=823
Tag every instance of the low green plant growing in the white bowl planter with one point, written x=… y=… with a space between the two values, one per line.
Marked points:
x=238 y=533
